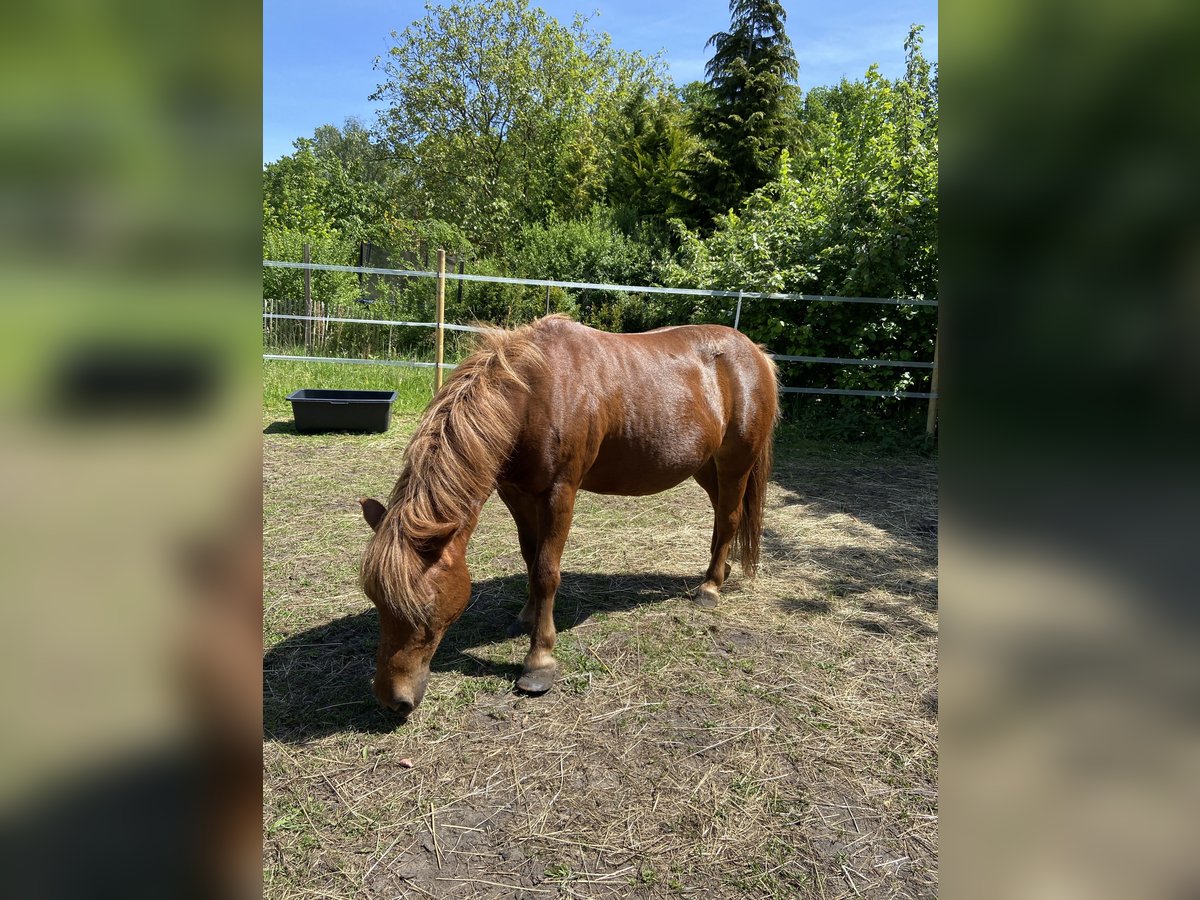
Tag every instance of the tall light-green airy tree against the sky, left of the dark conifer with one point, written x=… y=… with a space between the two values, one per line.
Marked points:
x=497 y=113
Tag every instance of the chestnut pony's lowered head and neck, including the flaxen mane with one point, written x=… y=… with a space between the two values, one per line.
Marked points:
x=415 y=569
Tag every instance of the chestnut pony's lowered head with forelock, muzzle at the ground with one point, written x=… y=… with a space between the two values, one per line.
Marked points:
x=419 y=591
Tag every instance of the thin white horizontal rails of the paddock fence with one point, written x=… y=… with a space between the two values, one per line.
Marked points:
x=740 y=296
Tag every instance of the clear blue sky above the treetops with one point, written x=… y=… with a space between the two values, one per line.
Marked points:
x=319 y=57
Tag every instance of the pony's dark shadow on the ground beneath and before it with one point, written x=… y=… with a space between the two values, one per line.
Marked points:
x=319 y=682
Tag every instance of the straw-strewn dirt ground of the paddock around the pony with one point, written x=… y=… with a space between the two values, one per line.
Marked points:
x=782 y=746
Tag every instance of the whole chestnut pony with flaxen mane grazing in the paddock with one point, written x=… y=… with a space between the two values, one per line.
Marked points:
x=538 y=415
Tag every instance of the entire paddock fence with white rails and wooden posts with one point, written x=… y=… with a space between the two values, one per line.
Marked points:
x=313 y=327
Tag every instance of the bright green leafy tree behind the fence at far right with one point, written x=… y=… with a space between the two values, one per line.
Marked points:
x=856 y=218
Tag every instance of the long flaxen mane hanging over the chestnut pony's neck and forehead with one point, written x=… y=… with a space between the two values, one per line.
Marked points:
x=451 y=466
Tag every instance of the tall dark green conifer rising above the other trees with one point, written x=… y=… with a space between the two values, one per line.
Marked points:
x=743 y=122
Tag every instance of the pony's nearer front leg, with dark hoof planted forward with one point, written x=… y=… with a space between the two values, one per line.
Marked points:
x=554 y=524
